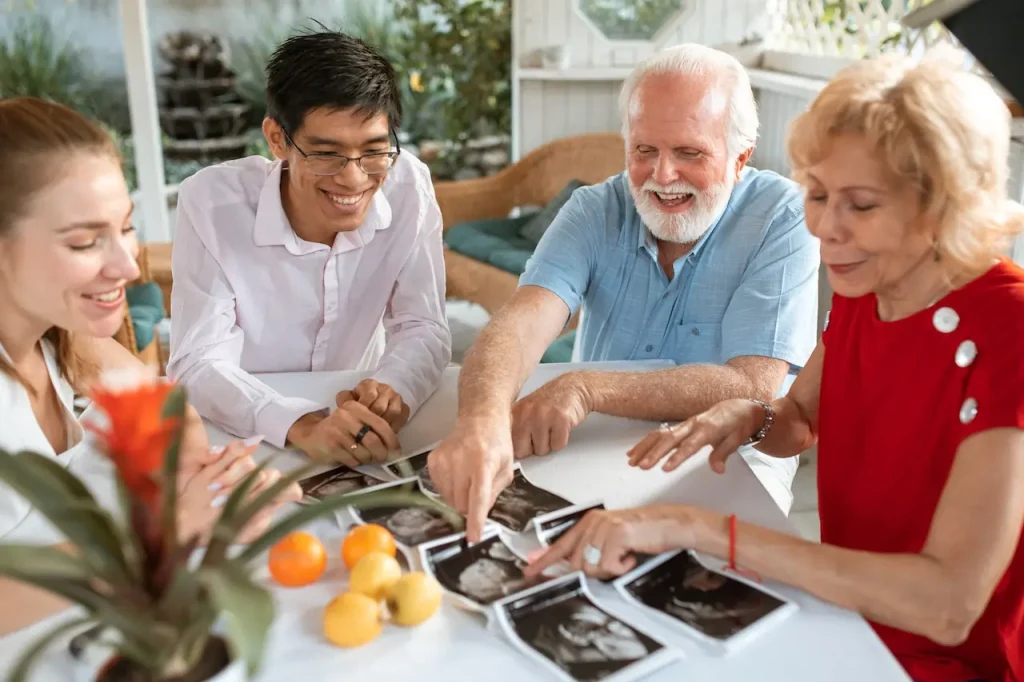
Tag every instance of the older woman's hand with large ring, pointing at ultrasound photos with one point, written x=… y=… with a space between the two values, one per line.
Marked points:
x=605 y=544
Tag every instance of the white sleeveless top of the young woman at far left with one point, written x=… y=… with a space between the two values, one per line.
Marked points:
x=21 y=432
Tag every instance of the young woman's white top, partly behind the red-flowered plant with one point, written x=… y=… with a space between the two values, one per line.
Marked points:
x=22 y=433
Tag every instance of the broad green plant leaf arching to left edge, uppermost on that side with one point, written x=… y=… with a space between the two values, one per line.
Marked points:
x=63 y=499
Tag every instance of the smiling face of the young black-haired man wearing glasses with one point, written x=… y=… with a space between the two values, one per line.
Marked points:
x=322 y=206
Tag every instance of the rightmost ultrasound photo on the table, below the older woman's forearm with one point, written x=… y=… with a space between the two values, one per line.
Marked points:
x=713 y=604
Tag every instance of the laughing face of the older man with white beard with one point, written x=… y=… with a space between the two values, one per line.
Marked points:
x=681 y=175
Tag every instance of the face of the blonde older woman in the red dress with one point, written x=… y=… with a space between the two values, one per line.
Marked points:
x=873 y=231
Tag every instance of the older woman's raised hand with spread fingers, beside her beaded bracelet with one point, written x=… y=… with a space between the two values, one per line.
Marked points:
x=726 y=428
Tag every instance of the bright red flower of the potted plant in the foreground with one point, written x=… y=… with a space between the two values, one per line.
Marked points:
x=138 y=436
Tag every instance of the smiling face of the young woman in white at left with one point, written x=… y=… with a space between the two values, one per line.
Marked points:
x=67 y=260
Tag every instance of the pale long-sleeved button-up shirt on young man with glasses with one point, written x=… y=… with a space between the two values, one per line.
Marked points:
x=249 y=296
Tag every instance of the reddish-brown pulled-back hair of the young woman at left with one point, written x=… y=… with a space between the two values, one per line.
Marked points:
x=37 y=138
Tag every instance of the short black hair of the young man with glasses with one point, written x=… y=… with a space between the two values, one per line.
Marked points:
x=333 y=71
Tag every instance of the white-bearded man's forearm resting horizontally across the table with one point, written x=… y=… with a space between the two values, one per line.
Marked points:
x=672 y=395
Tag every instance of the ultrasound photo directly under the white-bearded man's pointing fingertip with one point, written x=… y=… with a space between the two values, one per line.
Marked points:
x=483 y=573
